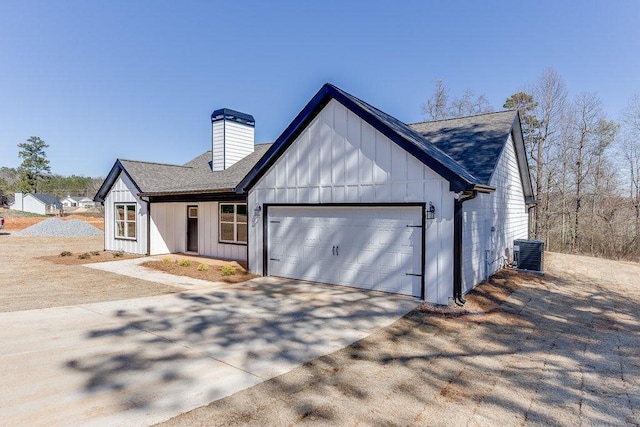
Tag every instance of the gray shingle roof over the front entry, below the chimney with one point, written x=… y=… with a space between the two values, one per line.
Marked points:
x=195 y=176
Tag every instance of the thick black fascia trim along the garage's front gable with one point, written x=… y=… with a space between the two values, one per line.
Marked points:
x=313 y=107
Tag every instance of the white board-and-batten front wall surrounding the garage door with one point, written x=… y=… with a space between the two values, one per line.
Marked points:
x=340 y=158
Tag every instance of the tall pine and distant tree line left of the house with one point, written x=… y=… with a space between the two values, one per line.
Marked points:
x=34 y=176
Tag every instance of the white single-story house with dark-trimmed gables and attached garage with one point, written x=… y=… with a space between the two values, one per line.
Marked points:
x=347 y=195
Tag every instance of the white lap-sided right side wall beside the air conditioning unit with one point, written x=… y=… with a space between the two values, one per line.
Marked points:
x=484 y=251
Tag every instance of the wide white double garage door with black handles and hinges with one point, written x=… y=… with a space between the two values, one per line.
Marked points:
x=376 y=248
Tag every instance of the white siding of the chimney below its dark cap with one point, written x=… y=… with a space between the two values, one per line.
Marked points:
x=232 y=142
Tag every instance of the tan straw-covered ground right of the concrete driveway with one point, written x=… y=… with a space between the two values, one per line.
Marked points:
x=560 y=351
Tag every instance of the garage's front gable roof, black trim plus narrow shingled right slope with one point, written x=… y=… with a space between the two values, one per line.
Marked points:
x=460 y=179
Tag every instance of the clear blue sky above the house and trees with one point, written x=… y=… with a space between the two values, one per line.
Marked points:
x=98 y=80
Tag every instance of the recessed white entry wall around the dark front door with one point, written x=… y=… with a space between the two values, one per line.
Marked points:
x=169 y=231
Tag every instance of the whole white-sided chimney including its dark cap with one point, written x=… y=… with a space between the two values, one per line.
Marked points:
x=232 y=137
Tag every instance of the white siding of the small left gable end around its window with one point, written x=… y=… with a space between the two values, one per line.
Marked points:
x=123 y=191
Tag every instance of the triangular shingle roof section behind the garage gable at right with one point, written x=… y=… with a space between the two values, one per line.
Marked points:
x=475 y=142
